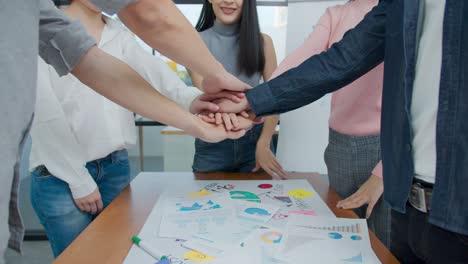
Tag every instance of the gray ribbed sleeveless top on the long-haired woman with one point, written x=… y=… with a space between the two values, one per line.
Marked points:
x=223 y=42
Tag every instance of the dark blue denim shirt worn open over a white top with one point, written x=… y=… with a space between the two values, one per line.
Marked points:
x=390 y=32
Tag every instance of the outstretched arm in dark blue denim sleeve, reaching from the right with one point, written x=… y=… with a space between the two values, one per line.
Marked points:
x=360 y=50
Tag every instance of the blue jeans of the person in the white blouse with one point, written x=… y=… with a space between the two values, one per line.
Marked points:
x=54 y=205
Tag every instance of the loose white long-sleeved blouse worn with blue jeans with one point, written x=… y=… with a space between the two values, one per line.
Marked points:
x=74 y=125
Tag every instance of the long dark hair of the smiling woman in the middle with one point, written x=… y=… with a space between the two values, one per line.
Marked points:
x=251 y=57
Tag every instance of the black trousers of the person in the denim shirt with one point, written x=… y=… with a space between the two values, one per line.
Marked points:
x=415 y=240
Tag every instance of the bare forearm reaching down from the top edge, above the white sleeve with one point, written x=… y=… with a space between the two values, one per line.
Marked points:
x=163 y=27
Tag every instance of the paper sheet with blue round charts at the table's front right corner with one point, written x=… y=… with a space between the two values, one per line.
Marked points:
x=327 y=240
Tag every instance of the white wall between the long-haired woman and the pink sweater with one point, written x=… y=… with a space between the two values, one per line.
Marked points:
x=304 y=132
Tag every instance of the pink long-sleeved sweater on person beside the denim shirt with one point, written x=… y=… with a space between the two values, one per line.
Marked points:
x=355 y=109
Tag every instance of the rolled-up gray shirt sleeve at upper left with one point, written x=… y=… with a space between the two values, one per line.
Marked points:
x=62 y=42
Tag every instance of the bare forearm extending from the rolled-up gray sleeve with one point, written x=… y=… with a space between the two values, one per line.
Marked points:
x=121 y=84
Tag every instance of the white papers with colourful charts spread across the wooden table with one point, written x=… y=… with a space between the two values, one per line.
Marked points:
x=258 y=222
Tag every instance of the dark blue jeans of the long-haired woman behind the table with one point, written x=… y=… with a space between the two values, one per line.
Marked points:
x=228 y=155
